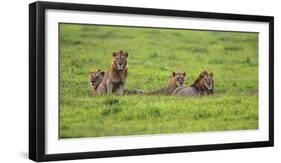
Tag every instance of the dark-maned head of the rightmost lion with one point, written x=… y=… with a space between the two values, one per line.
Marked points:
x=205 y=81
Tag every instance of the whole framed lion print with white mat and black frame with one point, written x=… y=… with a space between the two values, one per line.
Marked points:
x=108 y=81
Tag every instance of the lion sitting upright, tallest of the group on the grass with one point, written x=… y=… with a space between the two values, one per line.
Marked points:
x=116 y=77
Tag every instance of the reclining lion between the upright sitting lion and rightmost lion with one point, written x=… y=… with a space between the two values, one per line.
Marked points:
x=177 y=80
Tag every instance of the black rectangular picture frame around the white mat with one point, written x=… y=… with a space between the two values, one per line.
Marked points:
x=37 y=80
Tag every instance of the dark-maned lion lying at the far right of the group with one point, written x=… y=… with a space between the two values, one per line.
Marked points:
x=203 y=85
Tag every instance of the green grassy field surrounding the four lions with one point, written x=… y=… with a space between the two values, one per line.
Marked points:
x=153 y=55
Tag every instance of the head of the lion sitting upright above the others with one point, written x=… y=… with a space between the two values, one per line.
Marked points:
x=120 y=59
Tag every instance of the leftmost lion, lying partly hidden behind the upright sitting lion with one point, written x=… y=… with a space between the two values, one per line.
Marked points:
x=97 y=77
